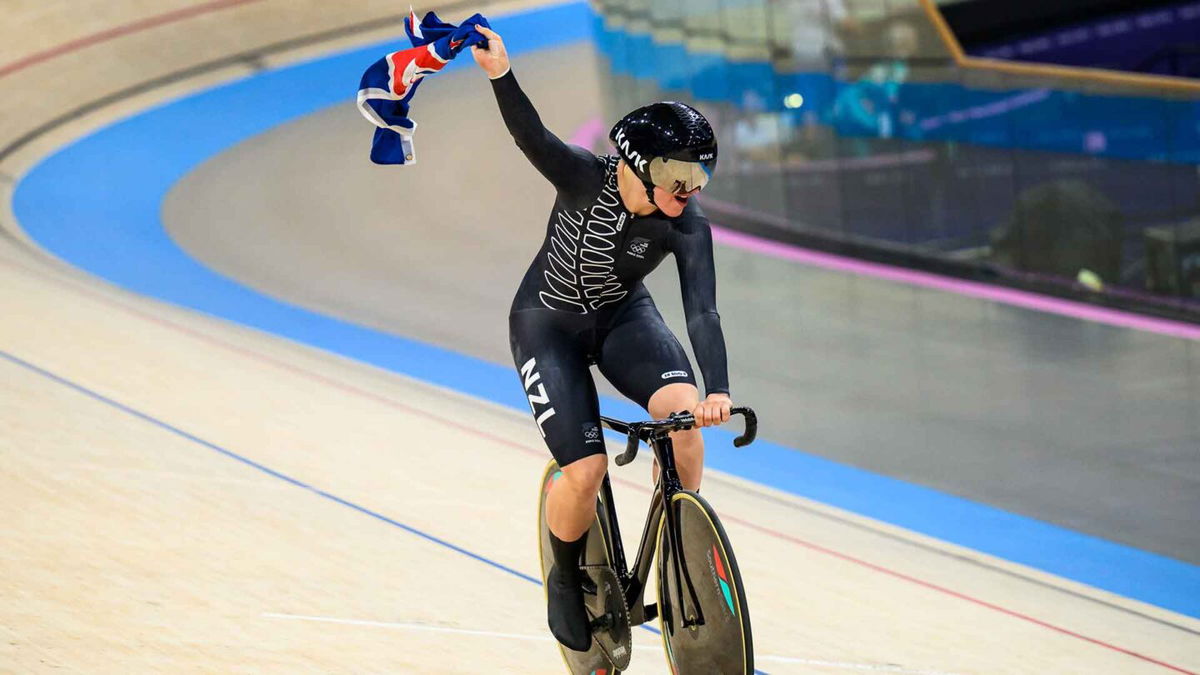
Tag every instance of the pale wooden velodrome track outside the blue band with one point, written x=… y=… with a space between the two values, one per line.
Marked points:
x=183 y=494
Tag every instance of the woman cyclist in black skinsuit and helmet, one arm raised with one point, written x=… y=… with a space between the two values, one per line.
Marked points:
x=583 y=302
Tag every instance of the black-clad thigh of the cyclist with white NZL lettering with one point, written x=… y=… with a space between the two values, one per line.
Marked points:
x=554 y=372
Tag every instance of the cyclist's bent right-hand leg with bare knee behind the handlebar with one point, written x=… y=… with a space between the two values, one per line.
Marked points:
x=646 y=363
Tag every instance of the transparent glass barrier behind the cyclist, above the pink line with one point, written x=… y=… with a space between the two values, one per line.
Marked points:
x=853 y=122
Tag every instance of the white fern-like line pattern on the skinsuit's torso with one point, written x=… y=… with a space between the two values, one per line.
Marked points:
x=581 y=255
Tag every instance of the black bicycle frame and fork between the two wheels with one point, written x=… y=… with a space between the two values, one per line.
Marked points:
x=634 y=583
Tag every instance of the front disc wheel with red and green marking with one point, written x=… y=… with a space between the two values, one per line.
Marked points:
x=723 y=643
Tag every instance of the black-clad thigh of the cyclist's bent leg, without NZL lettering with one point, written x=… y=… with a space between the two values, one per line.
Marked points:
x=640 y=355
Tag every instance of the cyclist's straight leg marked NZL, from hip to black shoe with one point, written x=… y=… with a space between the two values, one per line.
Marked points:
x=554 y=371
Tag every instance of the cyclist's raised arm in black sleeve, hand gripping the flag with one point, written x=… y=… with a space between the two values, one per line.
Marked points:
x=568 y=168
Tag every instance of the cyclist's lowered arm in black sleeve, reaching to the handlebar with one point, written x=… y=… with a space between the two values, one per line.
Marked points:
x=693 y=246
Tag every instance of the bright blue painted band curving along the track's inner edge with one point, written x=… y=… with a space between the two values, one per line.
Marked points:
x=97 y=205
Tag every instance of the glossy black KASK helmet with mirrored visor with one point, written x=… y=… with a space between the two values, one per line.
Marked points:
x=668 y=145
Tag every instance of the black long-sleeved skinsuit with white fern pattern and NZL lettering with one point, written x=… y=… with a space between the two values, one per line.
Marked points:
x=583 y=301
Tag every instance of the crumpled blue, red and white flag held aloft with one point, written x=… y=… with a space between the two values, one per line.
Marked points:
x=389 y=85
